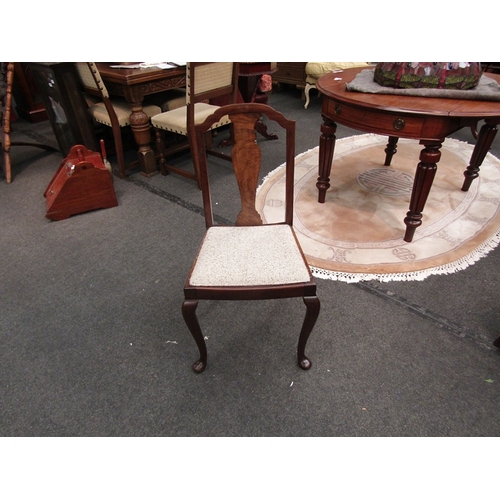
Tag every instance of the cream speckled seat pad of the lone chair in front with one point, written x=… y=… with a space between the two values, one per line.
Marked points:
x=249 y=255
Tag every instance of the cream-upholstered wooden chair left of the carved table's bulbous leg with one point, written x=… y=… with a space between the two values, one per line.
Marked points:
x=114 y=113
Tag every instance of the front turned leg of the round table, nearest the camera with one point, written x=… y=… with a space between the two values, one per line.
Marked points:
x=424 y=176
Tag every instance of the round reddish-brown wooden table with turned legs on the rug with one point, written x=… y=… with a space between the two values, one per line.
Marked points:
x=427 y=119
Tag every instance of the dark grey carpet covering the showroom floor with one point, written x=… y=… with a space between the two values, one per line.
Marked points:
x=92 y=341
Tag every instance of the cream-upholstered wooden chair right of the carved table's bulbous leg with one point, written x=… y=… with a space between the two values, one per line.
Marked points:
x=205 y=81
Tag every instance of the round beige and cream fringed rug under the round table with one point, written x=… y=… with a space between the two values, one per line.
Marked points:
x=357 y=234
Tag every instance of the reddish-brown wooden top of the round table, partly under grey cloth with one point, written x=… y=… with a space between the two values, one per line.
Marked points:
x=329 y=86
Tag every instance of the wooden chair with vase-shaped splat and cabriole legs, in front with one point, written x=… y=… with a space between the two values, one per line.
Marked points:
x=250 y=260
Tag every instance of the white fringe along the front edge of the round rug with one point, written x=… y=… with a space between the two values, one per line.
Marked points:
x=450 y=268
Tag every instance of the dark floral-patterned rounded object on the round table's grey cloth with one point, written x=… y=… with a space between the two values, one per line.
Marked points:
x=430 y=75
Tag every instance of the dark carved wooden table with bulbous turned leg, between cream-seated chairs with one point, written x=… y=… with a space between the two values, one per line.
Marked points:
x=134 y=85
